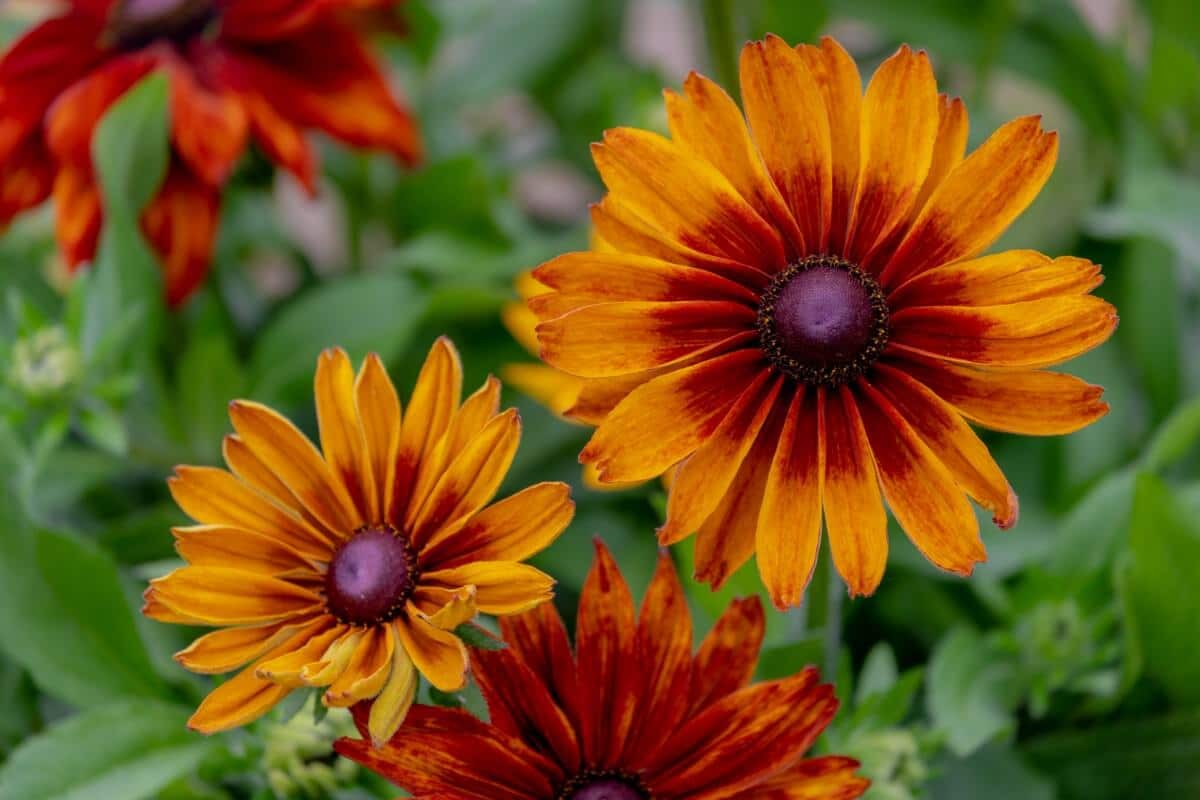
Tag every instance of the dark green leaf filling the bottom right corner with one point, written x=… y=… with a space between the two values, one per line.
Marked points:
x=1157 y=757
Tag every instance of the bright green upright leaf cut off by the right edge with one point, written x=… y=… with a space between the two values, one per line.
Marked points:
x=1165 y=545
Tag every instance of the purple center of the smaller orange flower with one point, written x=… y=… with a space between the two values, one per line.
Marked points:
x=371 y=576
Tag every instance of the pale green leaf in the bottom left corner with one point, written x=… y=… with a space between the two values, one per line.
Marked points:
x=124 y=751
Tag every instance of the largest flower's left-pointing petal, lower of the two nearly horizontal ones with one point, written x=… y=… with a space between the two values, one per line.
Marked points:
x=614 y=339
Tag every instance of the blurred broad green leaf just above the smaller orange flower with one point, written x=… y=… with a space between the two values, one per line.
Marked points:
x=362 y=314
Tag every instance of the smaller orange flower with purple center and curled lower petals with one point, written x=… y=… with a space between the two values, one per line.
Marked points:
x=351 y=568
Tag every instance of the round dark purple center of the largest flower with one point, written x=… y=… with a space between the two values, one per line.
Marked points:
x=824 y=321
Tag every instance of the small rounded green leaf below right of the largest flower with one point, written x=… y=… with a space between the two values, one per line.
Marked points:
x=970 y=691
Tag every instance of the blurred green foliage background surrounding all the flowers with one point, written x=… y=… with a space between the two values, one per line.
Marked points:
x=1067 y=669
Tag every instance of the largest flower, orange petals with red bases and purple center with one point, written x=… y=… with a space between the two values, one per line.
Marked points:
x=800 y=317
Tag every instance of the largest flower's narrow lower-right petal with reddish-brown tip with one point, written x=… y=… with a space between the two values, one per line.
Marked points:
x=952 y=441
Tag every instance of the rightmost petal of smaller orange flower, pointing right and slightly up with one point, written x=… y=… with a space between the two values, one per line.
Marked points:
x=509 y=531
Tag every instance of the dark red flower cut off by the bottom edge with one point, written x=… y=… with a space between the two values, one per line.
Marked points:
x=634 y=715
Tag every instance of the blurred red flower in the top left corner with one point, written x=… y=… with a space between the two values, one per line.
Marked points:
x=238 y=71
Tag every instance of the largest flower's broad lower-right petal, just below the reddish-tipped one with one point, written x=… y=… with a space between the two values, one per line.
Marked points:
x=922 y=494
